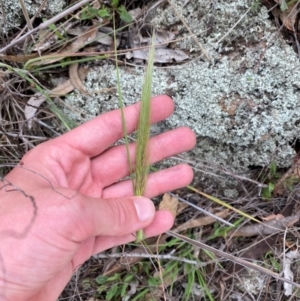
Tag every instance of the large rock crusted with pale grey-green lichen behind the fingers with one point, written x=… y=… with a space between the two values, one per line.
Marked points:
x=243 y=104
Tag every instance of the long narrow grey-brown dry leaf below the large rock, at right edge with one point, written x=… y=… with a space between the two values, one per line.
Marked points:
x=267 y=228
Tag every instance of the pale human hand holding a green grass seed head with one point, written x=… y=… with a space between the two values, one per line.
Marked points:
x=82 y=207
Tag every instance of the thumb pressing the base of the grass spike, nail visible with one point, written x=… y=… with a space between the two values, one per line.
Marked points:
x=88 y=217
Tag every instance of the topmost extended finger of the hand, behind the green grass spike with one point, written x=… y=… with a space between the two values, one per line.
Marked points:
x=95 y=136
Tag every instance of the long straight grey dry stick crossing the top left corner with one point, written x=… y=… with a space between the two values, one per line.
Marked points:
x=45 y=24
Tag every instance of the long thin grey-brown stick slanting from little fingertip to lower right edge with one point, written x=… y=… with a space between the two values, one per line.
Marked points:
x=230 y=257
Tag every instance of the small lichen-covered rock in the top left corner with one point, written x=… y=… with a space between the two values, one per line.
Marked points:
x=12 y=16
